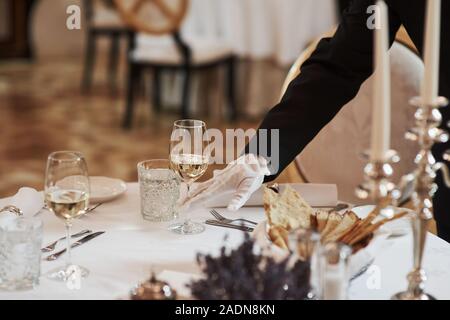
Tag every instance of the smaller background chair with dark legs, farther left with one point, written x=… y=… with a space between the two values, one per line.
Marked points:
x=102 y=20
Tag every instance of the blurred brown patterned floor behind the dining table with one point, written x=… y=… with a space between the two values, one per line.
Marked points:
x=42 y=110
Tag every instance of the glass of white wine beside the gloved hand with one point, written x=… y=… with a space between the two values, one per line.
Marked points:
x=189 y=159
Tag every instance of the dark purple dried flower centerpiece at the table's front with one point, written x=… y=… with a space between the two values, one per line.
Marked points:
x=246 y=274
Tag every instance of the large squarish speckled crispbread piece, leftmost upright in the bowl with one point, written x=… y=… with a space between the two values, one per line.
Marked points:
x=287 y=209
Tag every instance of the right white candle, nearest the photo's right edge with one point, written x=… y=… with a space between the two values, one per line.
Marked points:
x=430 y=83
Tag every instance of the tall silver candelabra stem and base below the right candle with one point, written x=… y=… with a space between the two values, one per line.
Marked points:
x=426 y=134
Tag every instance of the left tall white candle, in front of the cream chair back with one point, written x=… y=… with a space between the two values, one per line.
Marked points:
x=381 y=118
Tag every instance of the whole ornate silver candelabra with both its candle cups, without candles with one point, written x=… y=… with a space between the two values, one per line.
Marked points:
x=384 y=192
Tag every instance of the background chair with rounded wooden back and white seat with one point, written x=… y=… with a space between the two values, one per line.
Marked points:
x=164 y=46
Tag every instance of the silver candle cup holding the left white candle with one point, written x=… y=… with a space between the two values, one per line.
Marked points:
x=377 y=185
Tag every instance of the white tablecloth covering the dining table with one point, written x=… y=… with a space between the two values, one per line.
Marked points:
x=124 y=255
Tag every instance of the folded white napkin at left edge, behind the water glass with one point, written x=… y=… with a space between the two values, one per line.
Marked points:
x=28 y=200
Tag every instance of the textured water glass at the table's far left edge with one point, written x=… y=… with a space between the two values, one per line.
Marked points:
x=20 y=253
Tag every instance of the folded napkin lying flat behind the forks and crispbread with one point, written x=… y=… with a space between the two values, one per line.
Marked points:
x=317 y=195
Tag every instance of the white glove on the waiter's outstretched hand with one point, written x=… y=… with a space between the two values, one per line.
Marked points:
x=242 y=177
